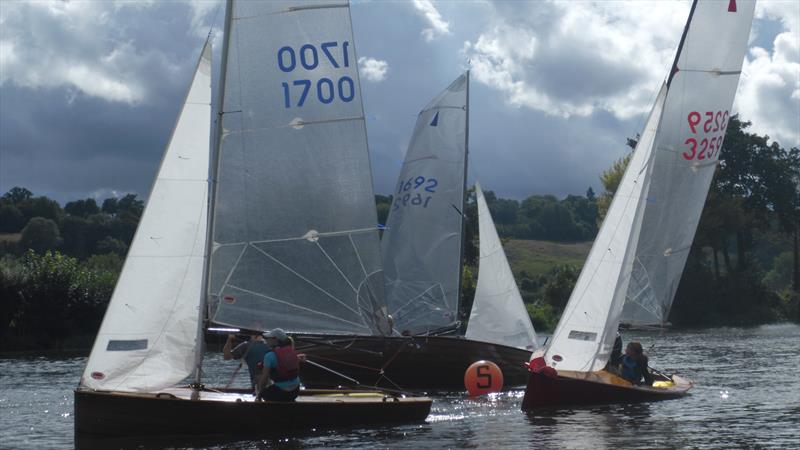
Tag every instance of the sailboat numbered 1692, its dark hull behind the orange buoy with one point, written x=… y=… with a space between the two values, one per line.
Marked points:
x=422 y=250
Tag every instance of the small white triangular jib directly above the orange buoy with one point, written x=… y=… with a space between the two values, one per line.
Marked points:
x=498 y=312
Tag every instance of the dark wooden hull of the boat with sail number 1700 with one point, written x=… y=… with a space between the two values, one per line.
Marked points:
x=234 y=413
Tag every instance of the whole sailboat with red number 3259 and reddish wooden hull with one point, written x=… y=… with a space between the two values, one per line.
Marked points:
x=652 y=219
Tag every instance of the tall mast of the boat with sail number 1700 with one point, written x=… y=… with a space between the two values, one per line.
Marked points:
x=212 y=176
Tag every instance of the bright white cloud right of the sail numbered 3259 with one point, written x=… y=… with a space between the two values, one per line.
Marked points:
x=769 y=89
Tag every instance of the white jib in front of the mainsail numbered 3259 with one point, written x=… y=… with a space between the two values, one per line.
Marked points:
x=585 y=334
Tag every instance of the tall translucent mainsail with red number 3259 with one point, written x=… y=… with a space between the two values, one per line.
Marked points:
x=701 y=91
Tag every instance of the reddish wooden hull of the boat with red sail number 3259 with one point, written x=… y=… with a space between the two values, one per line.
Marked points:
x=582 y=388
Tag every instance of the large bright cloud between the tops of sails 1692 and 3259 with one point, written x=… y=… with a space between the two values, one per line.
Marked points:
x=574 y=58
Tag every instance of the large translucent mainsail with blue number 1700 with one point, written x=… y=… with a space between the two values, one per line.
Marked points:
x=295 y=242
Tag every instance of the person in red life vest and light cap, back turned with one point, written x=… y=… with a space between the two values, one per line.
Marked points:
x=281 y=368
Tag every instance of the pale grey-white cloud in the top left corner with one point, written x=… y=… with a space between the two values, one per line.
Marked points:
x=95 y=49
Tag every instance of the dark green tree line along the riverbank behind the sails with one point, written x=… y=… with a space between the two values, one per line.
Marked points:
x=58 y=266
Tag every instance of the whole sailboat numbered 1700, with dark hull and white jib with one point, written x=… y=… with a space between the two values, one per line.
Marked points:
x=151 y=338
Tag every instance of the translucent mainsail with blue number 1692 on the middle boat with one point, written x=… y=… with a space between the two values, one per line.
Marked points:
x=422 y=242
